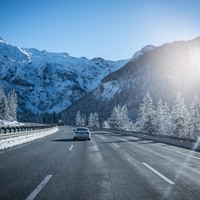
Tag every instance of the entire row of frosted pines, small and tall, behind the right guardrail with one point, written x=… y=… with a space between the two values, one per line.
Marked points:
x=179 y=121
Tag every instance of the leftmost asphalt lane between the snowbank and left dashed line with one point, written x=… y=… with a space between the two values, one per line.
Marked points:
x=23 y=168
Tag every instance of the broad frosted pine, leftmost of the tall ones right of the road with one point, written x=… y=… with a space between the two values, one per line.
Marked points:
x=145 y=122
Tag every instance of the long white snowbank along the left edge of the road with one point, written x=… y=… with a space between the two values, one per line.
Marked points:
x=14 y=141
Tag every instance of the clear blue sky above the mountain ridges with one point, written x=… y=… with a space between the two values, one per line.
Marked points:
x=111 y=29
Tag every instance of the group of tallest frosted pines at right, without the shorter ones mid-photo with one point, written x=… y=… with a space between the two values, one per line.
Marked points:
x=180 y=120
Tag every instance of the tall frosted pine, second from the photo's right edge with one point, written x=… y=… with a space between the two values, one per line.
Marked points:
x=179 y=117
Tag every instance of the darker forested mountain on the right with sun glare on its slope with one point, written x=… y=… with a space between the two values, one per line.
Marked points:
x=163 y=71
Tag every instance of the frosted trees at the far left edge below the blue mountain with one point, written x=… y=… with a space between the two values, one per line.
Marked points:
x=8 y=106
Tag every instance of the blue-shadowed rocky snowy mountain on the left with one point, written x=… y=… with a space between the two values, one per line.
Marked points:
x=47 y=82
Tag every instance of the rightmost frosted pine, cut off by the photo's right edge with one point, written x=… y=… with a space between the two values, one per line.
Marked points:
x=194 y=120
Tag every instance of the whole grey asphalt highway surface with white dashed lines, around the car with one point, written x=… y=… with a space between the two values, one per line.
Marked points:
x=109 y=166
